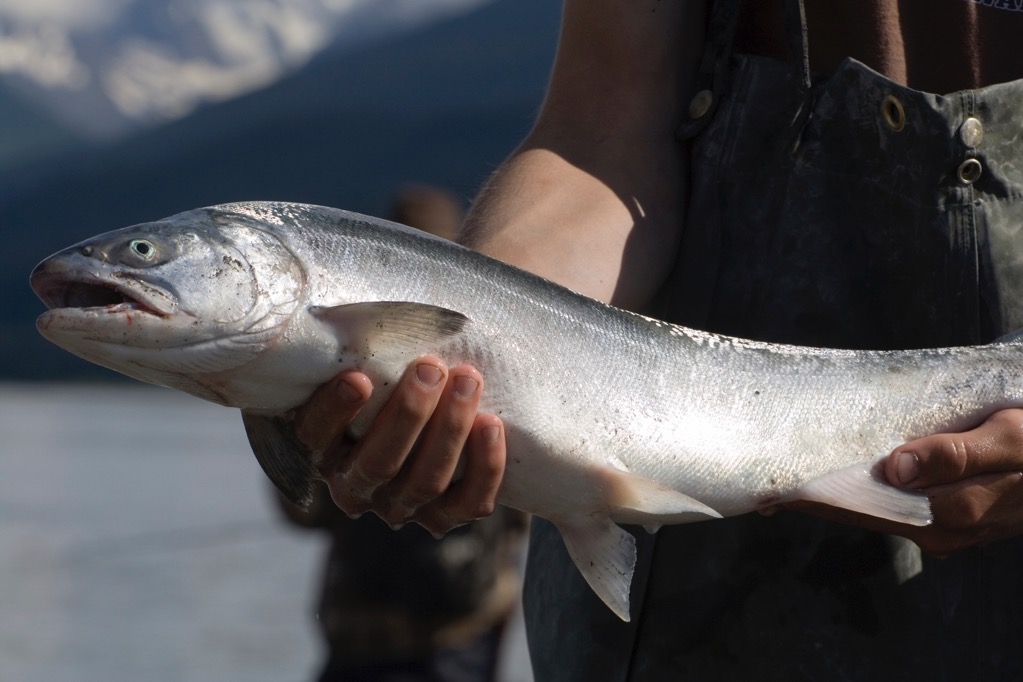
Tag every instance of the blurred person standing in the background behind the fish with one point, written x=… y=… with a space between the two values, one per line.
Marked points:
x=405 y=607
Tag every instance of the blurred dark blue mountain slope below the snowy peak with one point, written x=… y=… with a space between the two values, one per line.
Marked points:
x=441 y=106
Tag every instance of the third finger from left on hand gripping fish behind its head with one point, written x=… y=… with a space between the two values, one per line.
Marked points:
x=430 y=472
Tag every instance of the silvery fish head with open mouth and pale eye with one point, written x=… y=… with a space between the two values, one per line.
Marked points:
x=172 y=302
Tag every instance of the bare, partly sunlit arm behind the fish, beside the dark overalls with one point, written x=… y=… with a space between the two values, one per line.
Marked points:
x=594 y=198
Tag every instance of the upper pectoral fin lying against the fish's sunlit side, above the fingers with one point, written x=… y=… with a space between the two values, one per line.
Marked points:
x=370 y=329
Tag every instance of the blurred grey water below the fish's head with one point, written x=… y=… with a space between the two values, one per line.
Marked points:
x=138 y=542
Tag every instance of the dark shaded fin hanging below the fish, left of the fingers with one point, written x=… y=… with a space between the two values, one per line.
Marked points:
x=284 y=458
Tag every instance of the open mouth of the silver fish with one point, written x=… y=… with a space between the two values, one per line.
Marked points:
x=75 y=291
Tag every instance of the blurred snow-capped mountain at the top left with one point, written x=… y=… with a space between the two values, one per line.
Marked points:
x=107 y=67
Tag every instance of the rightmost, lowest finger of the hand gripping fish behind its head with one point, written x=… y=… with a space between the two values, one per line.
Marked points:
x=476 y=494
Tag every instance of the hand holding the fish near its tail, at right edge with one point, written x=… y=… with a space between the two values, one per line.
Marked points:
x=974 y=481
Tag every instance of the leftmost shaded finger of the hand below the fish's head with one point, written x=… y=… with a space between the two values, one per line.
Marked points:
x=332 y=407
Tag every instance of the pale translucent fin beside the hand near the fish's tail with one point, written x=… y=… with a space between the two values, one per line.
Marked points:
x=859 y=489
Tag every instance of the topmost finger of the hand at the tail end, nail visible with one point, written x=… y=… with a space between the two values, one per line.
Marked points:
x=995 y=446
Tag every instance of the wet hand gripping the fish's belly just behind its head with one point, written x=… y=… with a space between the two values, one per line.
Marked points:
x=408 y=466
